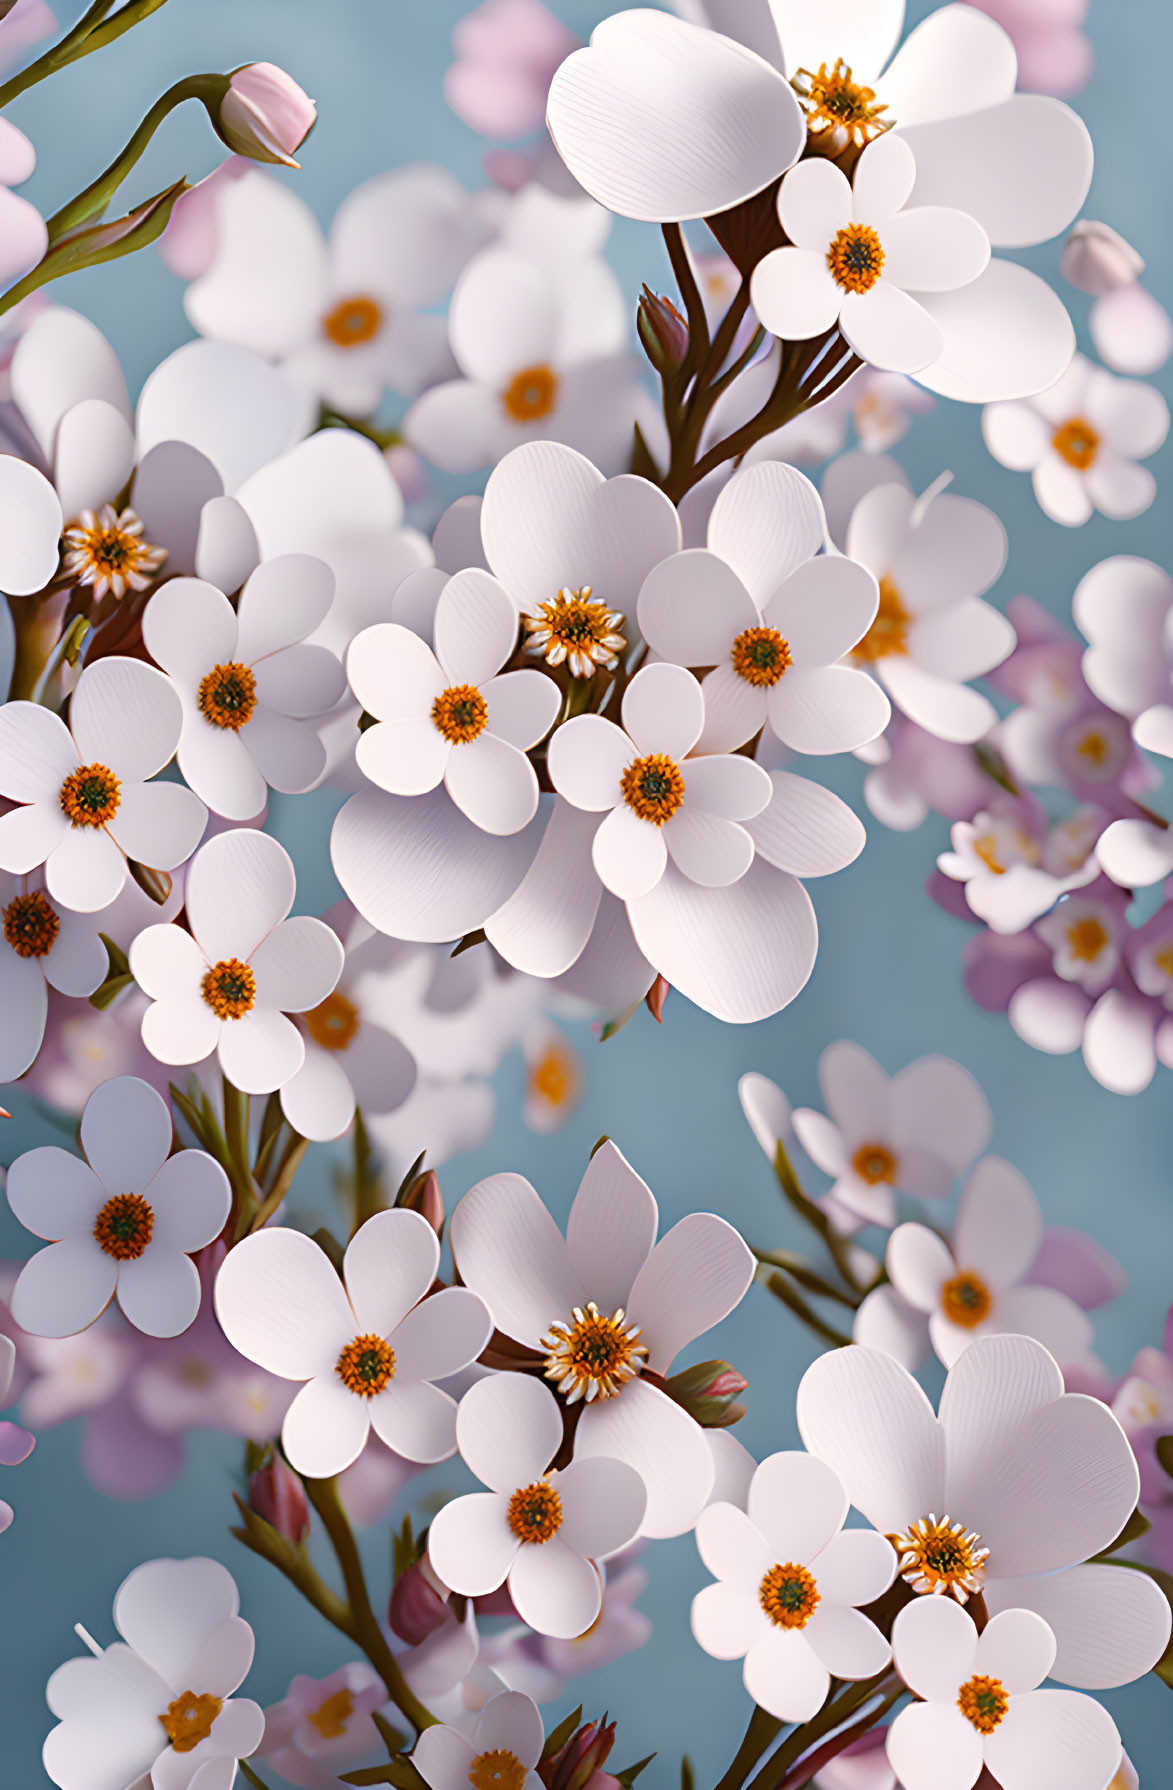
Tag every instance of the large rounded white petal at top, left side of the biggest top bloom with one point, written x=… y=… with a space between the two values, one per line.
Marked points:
x=644 y=119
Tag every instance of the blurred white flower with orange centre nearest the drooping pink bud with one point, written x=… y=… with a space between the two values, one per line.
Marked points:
x=341 y=314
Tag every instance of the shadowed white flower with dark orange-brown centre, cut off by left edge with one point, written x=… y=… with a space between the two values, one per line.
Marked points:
x=42 y=948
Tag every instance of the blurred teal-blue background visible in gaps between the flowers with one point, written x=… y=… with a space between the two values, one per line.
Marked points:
x=887 y=973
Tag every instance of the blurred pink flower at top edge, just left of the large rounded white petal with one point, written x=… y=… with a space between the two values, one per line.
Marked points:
x=508 y=53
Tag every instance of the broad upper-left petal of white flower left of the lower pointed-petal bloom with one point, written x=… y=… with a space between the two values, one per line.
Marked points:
x=282 y=1304
